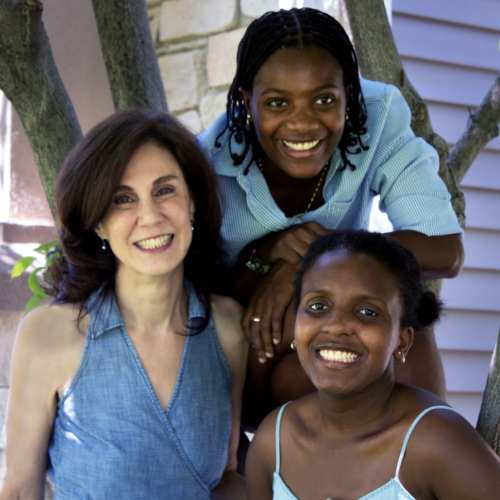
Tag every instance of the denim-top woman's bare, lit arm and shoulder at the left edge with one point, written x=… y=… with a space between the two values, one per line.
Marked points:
x=36 y=376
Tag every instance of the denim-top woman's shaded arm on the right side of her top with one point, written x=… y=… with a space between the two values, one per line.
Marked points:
x=227 y=320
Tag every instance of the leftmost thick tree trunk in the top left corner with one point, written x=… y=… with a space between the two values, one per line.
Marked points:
x=30 y=80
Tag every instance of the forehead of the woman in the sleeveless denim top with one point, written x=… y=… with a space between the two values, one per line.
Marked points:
x=150 y=162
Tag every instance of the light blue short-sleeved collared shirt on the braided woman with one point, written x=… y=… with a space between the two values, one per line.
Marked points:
x=398 y=166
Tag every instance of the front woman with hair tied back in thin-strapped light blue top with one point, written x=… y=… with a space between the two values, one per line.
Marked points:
x=362 y=436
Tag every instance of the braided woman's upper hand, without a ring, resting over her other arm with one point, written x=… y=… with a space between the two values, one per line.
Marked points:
x=291 y=244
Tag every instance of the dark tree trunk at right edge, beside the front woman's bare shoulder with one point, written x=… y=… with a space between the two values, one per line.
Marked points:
x=488 y=424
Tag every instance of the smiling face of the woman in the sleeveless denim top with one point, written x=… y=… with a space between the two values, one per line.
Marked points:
x=148 y=225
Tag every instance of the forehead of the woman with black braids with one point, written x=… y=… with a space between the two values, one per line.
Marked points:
x=311 y=61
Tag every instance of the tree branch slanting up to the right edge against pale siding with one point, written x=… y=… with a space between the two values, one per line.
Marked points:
x=481 y=128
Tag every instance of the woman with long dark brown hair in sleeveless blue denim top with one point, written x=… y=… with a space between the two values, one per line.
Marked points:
x=129 y=386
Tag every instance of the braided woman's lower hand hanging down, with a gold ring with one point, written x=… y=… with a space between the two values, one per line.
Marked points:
x=269 y=301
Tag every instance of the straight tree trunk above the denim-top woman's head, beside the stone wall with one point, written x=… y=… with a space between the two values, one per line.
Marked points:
x=129 y=54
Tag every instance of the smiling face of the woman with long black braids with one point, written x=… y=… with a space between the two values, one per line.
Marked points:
x=298 y=106
